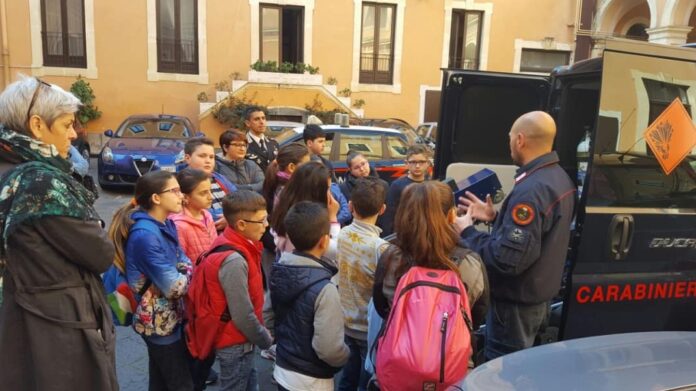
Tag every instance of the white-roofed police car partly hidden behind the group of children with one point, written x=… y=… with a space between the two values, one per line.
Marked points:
x=384 y=148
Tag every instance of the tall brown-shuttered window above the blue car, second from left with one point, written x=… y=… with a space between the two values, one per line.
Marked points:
x=177 y=36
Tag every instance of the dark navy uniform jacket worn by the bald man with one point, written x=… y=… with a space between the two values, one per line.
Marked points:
x=526 y=249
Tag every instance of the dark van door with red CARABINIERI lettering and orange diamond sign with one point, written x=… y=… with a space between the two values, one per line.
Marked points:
x=634 y=265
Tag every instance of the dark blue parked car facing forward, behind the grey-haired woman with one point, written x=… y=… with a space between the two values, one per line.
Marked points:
x=142 y=143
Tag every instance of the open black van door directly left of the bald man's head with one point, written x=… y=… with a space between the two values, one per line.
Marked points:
x=478 y=110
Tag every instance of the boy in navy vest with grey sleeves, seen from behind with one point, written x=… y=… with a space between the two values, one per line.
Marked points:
x=309 y=319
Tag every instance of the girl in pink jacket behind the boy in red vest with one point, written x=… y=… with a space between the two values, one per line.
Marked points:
x=194 y=224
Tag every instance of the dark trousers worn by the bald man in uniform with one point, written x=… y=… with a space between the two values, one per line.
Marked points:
x=511 y=326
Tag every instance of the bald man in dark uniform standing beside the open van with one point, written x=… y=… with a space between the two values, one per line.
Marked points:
x=526 y=248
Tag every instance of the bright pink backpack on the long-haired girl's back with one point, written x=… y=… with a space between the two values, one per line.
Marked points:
x=426 y=343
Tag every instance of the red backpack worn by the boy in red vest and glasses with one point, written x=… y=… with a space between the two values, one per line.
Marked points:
x=203 y=326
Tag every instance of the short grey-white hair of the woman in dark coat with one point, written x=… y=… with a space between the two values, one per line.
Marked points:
x=50 y=103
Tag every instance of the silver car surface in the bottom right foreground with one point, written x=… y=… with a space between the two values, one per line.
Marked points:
x=633 y=361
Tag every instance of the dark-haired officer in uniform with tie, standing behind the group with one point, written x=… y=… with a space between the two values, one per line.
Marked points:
x=261 y=149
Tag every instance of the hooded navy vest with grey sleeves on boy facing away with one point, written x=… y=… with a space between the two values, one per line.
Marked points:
x=309 y=318
